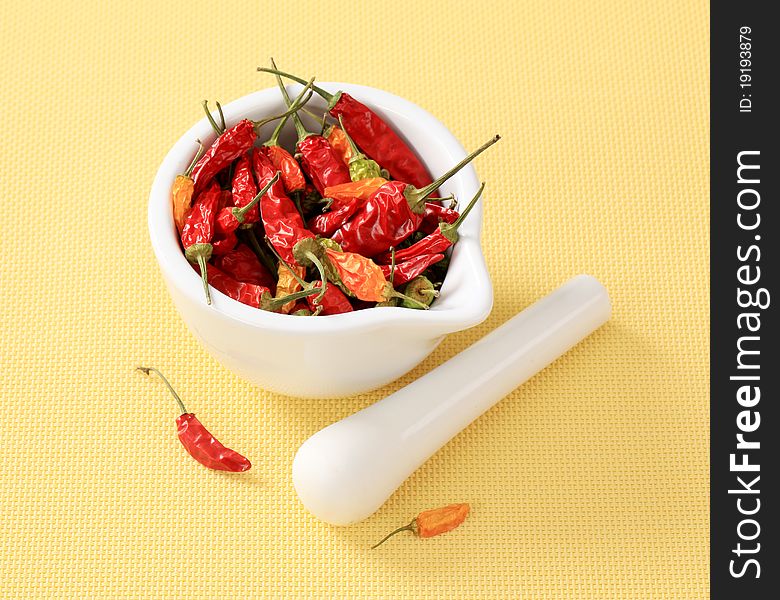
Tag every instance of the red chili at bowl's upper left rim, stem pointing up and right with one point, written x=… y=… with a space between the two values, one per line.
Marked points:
x=230 y=145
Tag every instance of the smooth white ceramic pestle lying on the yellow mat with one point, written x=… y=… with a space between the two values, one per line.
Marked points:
x=346 y=471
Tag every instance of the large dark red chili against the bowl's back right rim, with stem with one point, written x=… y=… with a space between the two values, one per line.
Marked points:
x=377 y=139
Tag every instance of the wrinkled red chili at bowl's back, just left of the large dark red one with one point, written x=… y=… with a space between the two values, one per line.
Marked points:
x=318 y=159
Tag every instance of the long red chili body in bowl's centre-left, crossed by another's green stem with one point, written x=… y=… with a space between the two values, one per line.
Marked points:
x=283 y=224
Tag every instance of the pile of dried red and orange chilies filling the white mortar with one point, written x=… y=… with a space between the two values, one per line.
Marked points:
x=345 y=220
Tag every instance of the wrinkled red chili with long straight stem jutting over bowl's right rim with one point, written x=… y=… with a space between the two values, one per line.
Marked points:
x=392 y=213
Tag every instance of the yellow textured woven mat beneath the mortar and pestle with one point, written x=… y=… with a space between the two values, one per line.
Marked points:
x=591 y=481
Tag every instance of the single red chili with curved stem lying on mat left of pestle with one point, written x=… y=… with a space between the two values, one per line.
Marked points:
x=197 y=440
